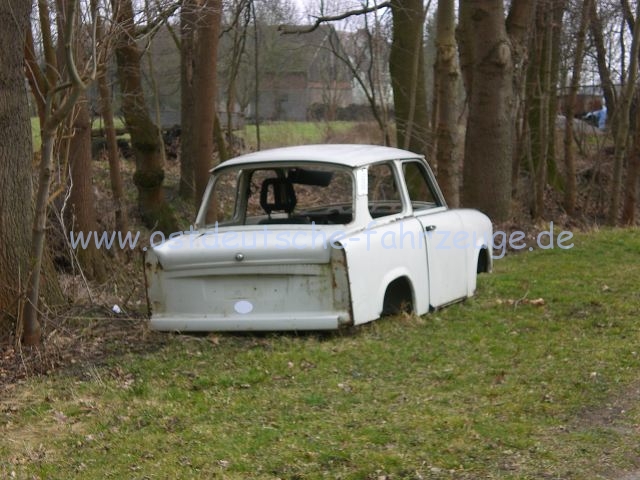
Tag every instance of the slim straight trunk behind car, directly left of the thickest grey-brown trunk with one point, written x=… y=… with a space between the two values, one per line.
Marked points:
x=447 y=126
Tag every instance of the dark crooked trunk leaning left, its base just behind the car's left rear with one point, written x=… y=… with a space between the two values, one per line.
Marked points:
x=145 y=138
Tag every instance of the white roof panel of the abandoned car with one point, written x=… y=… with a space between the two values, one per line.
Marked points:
x=347 y=155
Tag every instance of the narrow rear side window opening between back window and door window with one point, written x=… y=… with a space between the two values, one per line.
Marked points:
x=384 y=194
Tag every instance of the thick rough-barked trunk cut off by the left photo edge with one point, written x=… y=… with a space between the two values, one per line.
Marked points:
x=16 y=154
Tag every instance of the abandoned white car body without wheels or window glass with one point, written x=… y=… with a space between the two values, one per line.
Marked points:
x=316 y=237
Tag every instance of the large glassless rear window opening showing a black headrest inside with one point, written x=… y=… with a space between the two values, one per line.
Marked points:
x=281 y=194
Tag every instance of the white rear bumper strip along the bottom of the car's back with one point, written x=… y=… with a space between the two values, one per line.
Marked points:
x=248 y=322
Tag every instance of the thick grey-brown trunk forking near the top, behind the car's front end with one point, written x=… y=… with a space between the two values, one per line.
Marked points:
x=495 y=58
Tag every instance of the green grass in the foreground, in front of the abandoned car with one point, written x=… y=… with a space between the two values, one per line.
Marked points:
x=504 y=385
